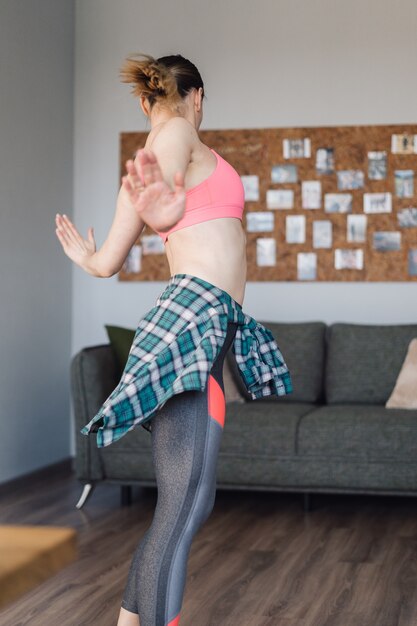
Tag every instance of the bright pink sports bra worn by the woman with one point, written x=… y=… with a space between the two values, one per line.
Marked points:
x=220 y=195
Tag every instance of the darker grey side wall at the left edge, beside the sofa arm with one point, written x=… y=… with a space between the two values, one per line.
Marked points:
x=36 y=173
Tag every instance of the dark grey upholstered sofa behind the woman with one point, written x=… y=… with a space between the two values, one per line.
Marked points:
x=332 y=434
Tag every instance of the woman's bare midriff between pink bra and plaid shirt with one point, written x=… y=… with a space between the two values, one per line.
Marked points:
x=214 y=250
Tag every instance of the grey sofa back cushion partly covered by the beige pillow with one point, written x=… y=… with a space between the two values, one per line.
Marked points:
x=363 y=361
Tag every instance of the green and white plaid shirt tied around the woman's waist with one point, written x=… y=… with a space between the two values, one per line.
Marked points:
x=174 y=348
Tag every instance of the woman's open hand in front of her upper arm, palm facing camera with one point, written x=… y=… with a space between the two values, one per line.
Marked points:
x=158 y=205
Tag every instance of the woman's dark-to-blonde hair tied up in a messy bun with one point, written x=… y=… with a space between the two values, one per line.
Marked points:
x=165 y=80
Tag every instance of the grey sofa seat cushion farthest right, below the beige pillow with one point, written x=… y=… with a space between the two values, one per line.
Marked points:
x=362 y=432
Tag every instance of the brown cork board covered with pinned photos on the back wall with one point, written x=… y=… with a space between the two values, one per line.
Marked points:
x=367 y=231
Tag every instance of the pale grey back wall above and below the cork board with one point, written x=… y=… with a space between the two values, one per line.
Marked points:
x=264 y=64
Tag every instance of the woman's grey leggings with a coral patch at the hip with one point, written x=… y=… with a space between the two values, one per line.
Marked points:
x=186 y=435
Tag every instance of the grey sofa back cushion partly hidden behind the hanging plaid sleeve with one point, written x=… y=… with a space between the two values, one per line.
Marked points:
x=303 y=347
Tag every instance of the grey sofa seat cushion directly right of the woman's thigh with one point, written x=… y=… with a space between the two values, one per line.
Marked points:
x=262 y=429
